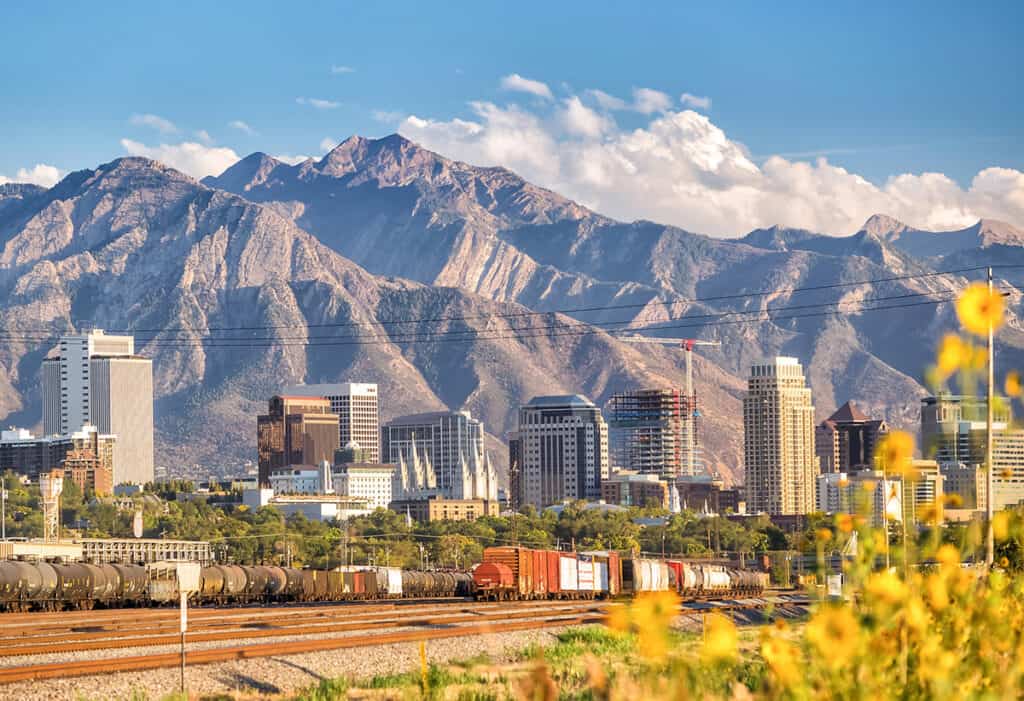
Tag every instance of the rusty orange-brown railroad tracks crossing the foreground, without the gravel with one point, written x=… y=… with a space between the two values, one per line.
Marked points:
x=366 y=626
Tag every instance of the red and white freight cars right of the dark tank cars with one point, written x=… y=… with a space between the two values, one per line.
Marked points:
x=519 y=574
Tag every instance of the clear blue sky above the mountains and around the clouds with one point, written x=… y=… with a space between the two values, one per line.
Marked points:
x=879 y=92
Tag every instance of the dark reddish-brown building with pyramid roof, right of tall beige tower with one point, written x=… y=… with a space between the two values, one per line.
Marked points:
x=846 y=442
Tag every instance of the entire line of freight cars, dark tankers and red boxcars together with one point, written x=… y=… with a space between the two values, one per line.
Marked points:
x=506 y=574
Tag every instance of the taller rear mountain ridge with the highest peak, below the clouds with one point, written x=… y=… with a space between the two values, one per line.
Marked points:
x=398 y=209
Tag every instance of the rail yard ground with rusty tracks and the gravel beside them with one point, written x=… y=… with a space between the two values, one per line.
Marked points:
x=110 y=653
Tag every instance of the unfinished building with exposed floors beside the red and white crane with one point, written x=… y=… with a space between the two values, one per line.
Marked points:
x=655 y=432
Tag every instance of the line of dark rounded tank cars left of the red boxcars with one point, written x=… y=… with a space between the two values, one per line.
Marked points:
x=53 y=587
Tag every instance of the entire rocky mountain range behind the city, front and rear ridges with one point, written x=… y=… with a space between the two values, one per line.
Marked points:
x=334 y=252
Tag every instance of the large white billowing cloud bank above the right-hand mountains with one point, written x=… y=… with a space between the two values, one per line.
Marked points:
x=680 y=168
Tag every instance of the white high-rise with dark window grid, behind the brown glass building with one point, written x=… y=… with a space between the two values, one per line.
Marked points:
x=358 y=410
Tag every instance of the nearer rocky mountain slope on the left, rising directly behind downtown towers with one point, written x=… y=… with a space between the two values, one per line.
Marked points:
x=135 y=245
